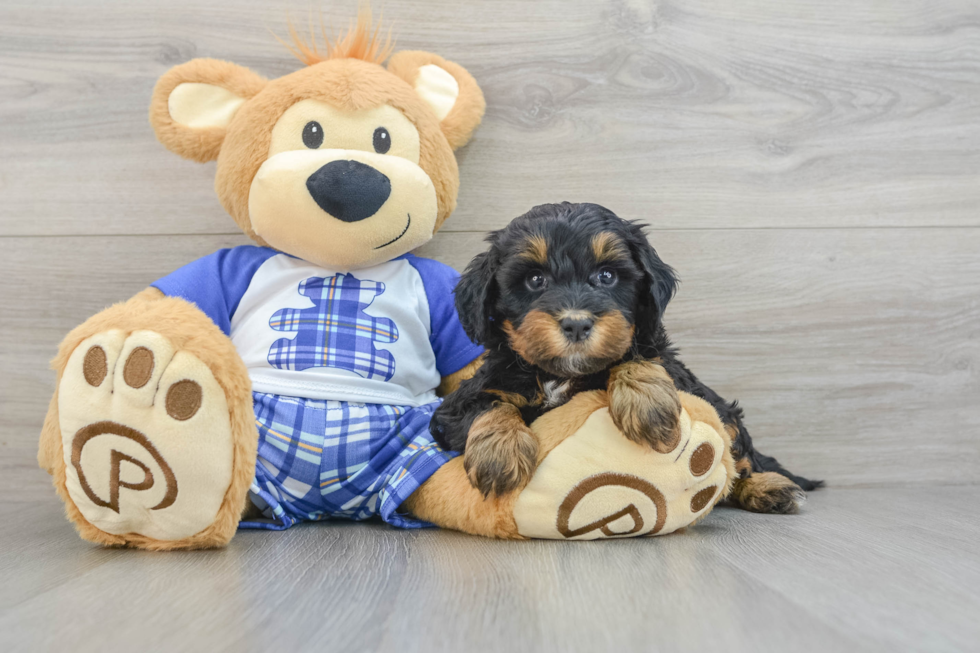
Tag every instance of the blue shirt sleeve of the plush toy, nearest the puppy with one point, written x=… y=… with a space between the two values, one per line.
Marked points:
x=453 y=348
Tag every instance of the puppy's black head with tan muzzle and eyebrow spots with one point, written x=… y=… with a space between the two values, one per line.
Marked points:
x=565 y=286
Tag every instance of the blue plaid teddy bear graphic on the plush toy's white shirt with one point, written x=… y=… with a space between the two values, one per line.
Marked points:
x=336 y=331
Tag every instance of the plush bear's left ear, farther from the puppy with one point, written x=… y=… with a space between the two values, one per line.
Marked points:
x=193 y=103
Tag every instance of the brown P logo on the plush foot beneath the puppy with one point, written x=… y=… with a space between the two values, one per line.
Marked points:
x=593 y=483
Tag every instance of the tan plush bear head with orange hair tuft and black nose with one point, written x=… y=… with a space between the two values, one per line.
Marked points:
x=345 y=163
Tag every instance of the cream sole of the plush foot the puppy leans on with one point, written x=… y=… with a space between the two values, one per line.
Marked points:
x=598 y=484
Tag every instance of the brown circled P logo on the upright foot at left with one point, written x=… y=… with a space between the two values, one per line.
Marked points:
x=116 y=458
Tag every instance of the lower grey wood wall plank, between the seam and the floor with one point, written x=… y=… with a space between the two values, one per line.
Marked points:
x=856 y=352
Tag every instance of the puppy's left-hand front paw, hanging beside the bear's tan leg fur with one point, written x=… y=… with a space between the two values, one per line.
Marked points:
x=501 y=452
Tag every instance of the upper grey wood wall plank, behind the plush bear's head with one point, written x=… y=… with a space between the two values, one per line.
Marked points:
x=696 y=114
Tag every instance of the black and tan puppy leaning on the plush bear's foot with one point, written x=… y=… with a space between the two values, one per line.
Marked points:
x=570 y=298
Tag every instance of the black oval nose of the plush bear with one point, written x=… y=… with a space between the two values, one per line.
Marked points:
x=348 y=190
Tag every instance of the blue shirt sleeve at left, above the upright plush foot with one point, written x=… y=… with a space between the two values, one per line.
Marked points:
x=216 y=283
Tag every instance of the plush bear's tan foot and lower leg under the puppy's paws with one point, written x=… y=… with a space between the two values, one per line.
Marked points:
x=591 y=481
